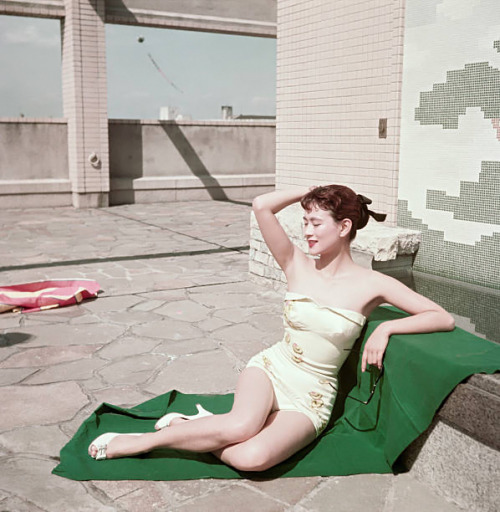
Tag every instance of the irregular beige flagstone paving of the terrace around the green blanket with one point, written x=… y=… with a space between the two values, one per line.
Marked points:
x=177 y=303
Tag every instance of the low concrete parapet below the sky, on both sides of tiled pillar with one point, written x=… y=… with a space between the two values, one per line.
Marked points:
x=150 y=161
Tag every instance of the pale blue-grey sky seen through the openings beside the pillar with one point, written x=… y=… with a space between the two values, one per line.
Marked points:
x=207 y=70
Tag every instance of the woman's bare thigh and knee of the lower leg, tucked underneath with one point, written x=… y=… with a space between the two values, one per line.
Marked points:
x=285 y=433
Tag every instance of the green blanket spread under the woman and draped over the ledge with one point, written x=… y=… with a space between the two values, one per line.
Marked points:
x=420 y=371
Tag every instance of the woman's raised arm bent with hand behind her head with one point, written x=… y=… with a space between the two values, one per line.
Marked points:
x=265 y=207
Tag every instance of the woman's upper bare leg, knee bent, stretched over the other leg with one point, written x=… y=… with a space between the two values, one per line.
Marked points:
x=253 y=401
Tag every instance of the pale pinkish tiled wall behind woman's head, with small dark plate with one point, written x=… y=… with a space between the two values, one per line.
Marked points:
x=339 y=72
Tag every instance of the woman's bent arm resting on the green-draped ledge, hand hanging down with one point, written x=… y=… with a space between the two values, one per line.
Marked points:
x=426 y=316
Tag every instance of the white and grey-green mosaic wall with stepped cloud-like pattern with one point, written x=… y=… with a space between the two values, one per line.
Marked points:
x=449 y=180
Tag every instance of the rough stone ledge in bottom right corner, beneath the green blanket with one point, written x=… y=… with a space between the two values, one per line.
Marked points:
x=458 y=456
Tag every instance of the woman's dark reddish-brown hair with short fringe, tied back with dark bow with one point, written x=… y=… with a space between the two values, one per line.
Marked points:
x=342 y=203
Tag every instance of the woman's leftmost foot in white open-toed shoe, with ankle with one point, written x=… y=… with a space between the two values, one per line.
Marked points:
x=113 y=445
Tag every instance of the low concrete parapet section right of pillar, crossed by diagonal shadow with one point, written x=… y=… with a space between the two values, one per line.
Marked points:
x=153 y=161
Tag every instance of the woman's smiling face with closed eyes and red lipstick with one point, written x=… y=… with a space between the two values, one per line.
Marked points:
x=322 y=232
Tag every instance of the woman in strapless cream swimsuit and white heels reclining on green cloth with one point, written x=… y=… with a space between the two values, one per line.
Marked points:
x=285 y=395
